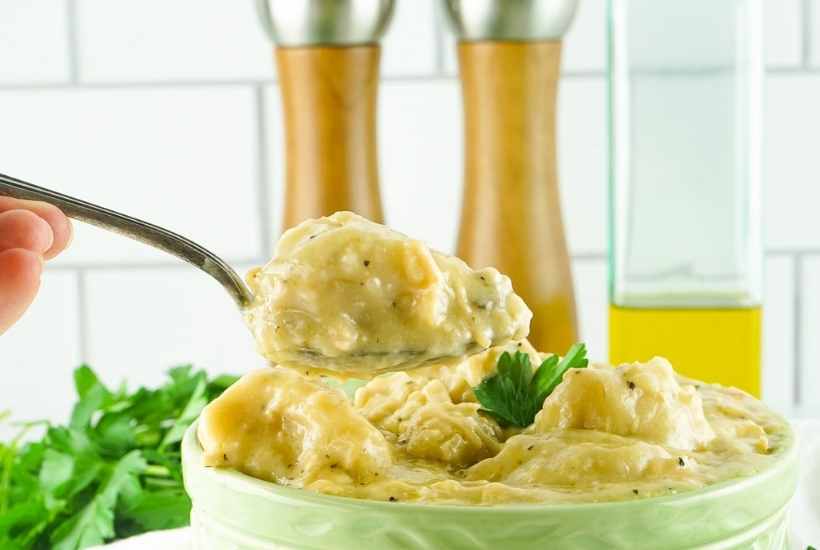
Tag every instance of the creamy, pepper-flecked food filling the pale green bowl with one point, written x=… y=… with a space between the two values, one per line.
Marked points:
x=606 y=433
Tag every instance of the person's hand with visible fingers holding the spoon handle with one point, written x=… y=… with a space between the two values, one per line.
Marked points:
x=30 y=233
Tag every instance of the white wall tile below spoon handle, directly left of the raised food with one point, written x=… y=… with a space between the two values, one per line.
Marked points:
x=174 y=316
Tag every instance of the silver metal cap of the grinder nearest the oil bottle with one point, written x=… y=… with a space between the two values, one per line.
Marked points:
x=513 y=20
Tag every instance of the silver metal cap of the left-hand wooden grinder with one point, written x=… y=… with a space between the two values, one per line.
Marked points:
x=325 y=22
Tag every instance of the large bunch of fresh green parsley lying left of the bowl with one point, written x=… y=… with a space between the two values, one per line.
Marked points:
x=112 y=472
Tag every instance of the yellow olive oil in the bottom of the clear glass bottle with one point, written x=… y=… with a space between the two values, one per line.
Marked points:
x=713 y=345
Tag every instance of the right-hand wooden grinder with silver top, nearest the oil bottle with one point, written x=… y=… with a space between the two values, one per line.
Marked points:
x=510 y=58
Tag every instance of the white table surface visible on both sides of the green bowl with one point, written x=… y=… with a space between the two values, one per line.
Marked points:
x=805 y=508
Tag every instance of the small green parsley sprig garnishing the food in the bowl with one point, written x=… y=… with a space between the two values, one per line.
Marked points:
x=514 y=395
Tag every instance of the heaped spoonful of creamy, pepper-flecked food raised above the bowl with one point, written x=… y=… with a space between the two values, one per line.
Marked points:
x=345 y=294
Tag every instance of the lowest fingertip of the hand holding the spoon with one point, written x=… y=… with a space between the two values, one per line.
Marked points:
x=20 y=272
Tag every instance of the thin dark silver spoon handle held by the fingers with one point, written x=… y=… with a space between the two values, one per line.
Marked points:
x=133 y=228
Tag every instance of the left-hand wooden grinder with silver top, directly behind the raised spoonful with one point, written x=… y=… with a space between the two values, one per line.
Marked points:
x=327 y=54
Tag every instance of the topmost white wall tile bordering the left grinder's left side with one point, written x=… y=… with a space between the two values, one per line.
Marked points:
x=161 y=41
